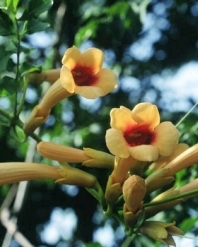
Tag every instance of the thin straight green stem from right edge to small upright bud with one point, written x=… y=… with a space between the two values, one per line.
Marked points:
x=180 y=196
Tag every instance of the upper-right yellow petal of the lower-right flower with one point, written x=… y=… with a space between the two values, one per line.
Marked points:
x=146 y=113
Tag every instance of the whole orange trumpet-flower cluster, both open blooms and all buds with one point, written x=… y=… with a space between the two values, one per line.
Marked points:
x=144 y=152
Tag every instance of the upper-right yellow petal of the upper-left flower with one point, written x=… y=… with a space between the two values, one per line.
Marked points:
x=93 y=58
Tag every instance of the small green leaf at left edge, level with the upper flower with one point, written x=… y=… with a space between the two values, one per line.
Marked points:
x=7 y=86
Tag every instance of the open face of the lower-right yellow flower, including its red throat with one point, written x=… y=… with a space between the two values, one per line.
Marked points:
x=140 y=134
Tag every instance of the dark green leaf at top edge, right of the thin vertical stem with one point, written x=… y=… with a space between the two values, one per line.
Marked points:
x=35 y=8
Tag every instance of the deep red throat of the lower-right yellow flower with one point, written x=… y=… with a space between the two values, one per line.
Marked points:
x=139 y=135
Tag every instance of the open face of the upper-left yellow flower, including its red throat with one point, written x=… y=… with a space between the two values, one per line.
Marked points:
x=82 y=73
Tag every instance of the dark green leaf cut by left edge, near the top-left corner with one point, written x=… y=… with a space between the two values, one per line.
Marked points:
x=6 y=26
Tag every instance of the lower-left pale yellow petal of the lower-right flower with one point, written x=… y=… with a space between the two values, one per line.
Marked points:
x=116 y=143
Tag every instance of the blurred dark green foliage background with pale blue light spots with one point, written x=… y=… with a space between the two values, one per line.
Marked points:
x=143 y=42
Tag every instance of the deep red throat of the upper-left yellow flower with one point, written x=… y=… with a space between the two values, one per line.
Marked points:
x=84 y=76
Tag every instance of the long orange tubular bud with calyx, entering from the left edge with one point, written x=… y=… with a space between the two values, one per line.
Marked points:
x=13 y=172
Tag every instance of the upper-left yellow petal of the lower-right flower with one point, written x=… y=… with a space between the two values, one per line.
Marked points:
x=121 y=118
